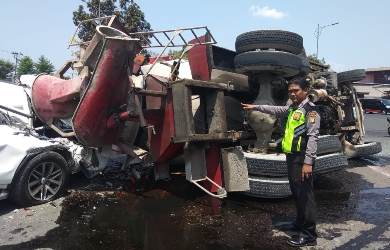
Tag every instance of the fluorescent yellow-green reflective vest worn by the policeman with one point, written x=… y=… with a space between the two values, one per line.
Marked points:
x=294 y=131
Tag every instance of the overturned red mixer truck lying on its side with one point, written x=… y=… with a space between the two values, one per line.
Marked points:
x=114 y=105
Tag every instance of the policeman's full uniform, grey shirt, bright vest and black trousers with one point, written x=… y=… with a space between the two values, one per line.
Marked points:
x=299 y=143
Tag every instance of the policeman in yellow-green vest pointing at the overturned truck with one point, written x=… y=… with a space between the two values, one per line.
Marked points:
x=301 y=125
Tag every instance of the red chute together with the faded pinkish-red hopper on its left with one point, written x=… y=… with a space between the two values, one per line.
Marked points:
x=92 y=102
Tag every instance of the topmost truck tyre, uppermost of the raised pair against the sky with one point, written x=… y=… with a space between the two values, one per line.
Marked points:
x=269 y=39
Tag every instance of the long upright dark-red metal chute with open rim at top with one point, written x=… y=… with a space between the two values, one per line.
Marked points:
x=107 y=89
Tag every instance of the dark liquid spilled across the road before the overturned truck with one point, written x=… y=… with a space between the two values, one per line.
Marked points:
x=175 y=215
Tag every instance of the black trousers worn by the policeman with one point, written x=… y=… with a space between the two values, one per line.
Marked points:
x=303 y=195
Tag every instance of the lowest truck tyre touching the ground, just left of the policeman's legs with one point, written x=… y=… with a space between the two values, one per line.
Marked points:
x=263 y=187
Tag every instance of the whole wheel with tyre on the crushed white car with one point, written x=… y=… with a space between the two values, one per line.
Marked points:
x=41 y=179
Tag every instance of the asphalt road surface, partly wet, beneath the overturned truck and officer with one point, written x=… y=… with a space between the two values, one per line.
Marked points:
x=353 y=213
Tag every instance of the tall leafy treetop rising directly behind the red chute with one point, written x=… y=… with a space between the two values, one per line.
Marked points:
x=128 y=12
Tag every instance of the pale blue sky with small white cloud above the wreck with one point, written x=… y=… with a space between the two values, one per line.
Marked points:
x=360 y=40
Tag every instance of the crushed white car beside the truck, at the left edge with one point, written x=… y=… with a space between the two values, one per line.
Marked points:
x=34 y=169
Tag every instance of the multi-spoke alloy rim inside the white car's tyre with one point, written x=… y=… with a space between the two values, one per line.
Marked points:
x=45 y=181
